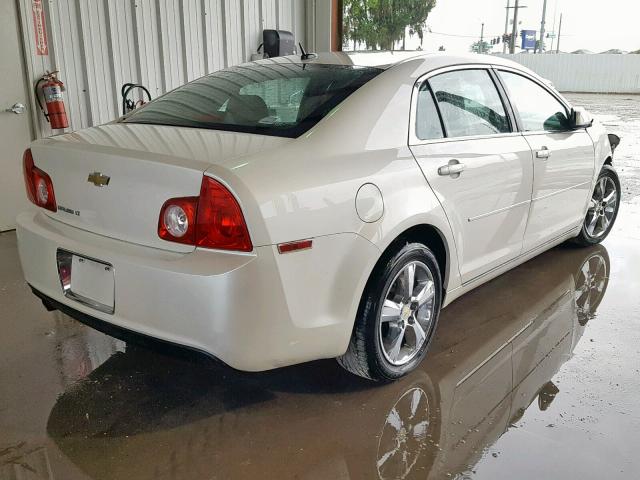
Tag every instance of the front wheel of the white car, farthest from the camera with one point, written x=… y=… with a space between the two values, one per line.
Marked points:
x=592 y=236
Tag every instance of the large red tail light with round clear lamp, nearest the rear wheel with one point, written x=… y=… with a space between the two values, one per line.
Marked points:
x=212 y=220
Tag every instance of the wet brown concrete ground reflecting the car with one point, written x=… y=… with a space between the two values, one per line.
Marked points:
x=533 y=375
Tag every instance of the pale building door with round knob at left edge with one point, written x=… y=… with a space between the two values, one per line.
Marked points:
x=15 y=130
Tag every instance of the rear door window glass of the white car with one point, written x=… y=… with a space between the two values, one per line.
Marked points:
x=469 y=103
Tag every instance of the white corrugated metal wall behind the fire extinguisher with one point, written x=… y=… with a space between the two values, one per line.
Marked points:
x=100 y=44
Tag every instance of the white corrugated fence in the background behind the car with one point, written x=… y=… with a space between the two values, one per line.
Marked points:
x=586 y=73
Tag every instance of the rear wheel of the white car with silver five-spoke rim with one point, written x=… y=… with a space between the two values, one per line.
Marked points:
x=371 y=351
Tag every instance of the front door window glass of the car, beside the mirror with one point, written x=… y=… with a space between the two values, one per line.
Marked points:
x=538 y=109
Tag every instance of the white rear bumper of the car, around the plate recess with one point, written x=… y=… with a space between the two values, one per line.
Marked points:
x=252 y=311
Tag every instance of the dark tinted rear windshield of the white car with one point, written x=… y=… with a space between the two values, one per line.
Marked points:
x=281 y=99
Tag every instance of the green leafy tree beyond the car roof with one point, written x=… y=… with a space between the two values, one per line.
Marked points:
x=381 y=23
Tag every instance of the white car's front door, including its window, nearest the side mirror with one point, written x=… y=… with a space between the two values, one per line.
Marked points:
x=563 y=158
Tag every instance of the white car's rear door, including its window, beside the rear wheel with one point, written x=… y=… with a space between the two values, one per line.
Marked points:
x=479 y=167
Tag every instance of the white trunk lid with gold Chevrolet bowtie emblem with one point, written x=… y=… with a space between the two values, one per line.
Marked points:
x=146 y=165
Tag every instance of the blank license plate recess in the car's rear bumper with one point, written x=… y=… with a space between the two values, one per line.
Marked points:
x=86 y=280
